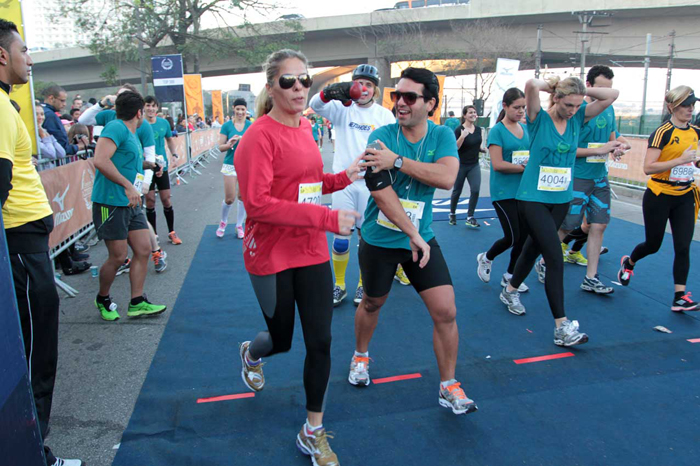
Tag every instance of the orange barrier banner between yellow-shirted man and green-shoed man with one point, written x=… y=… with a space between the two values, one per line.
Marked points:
x=69 y=190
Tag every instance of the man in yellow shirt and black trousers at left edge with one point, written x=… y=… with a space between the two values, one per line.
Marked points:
x=28 y=221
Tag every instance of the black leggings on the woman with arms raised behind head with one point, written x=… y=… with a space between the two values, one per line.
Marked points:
x=541 y=222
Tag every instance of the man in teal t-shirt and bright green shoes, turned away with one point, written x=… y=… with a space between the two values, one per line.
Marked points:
x=116 y=207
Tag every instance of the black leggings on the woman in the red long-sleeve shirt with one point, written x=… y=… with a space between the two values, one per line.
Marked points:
x=311 y=288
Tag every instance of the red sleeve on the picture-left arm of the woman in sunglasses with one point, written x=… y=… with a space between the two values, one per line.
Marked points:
x=256 y=180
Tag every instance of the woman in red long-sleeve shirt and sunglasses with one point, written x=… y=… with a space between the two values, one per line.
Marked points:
x=280 y=172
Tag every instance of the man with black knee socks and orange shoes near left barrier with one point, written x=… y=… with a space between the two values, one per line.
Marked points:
x=161 y=179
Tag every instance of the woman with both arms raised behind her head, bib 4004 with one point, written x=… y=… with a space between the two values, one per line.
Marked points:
x=546 y=189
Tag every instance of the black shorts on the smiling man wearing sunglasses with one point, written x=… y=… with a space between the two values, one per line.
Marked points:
x=378 y=266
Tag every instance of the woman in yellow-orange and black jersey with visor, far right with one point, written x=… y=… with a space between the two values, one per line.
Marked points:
x=671 y=194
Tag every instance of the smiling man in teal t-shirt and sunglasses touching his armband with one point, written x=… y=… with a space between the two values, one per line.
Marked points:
x=415 y=158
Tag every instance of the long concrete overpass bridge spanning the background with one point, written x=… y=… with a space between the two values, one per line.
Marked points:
x=423 y=33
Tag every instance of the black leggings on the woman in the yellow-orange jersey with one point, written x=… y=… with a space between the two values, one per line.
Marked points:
x=680 y=211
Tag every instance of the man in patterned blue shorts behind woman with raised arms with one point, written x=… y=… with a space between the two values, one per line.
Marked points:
x=599 y=139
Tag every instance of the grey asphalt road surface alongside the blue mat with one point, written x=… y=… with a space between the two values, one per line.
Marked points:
x=102 y=365
